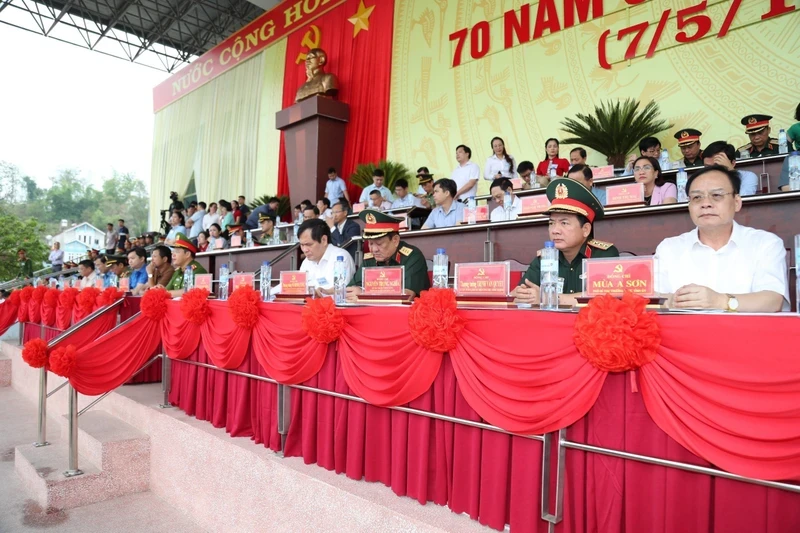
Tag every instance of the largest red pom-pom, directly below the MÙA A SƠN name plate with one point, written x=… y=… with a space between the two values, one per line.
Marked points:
x=617 y=335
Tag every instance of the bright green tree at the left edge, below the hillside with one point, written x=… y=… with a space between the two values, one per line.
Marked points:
x=16 y=233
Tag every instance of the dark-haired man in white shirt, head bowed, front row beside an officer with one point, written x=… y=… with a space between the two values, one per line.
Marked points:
x=321 y=256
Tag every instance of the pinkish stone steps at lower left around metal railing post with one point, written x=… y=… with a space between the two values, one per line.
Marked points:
x=114 y=456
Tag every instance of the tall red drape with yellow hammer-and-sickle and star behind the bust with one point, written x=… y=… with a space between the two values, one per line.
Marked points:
x=357 y=37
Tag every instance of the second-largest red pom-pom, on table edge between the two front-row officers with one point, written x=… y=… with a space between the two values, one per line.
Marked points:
x=434 y=321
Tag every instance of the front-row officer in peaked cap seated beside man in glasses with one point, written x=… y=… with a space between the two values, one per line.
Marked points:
x=573 y=211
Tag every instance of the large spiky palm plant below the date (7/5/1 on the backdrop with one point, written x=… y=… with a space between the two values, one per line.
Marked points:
x=615 y=128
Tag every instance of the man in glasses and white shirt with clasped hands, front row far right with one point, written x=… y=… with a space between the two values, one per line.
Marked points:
x=720 y=264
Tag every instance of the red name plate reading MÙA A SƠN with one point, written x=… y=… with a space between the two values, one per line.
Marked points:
x=619 y=274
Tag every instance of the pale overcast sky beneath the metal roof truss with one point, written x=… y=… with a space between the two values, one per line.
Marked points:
x=62 y=106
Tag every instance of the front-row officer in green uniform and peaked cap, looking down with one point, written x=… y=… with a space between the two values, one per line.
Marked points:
x=381 y=231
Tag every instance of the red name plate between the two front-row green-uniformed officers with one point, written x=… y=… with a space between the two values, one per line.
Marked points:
x=482 y=283
